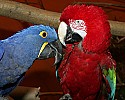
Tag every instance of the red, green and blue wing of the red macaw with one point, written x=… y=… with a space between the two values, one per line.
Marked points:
x=109 y=74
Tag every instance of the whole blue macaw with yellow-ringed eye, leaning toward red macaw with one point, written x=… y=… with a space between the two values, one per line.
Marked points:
x=18 y=52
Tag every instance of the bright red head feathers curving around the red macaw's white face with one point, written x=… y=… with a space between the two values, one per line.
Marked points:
x=98 y=29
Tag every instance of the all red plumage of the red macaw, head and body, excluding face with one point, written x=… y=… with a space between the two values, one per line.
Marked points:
x=81 y=70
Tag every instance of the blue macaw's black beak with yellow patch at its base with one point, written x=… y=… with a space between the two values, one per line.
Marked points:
x=50 y=50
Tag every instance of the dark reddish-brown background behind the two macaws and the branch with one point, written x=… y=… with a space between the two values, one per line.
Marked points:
x=42 y=73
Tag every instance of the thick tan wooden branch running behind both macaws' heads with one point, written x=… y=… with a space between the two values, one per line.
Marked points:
x=35 y=15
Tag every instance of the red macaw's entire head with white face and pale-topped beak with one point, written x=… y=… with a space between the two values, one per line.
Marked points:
x=87 y=24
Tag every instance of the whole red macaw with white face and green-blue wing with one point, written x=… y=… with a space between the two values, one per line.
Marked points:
x=88 y=68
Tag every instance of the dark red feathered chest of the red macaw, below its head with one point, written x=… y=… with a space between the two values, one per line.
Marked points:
x=80 y=73
